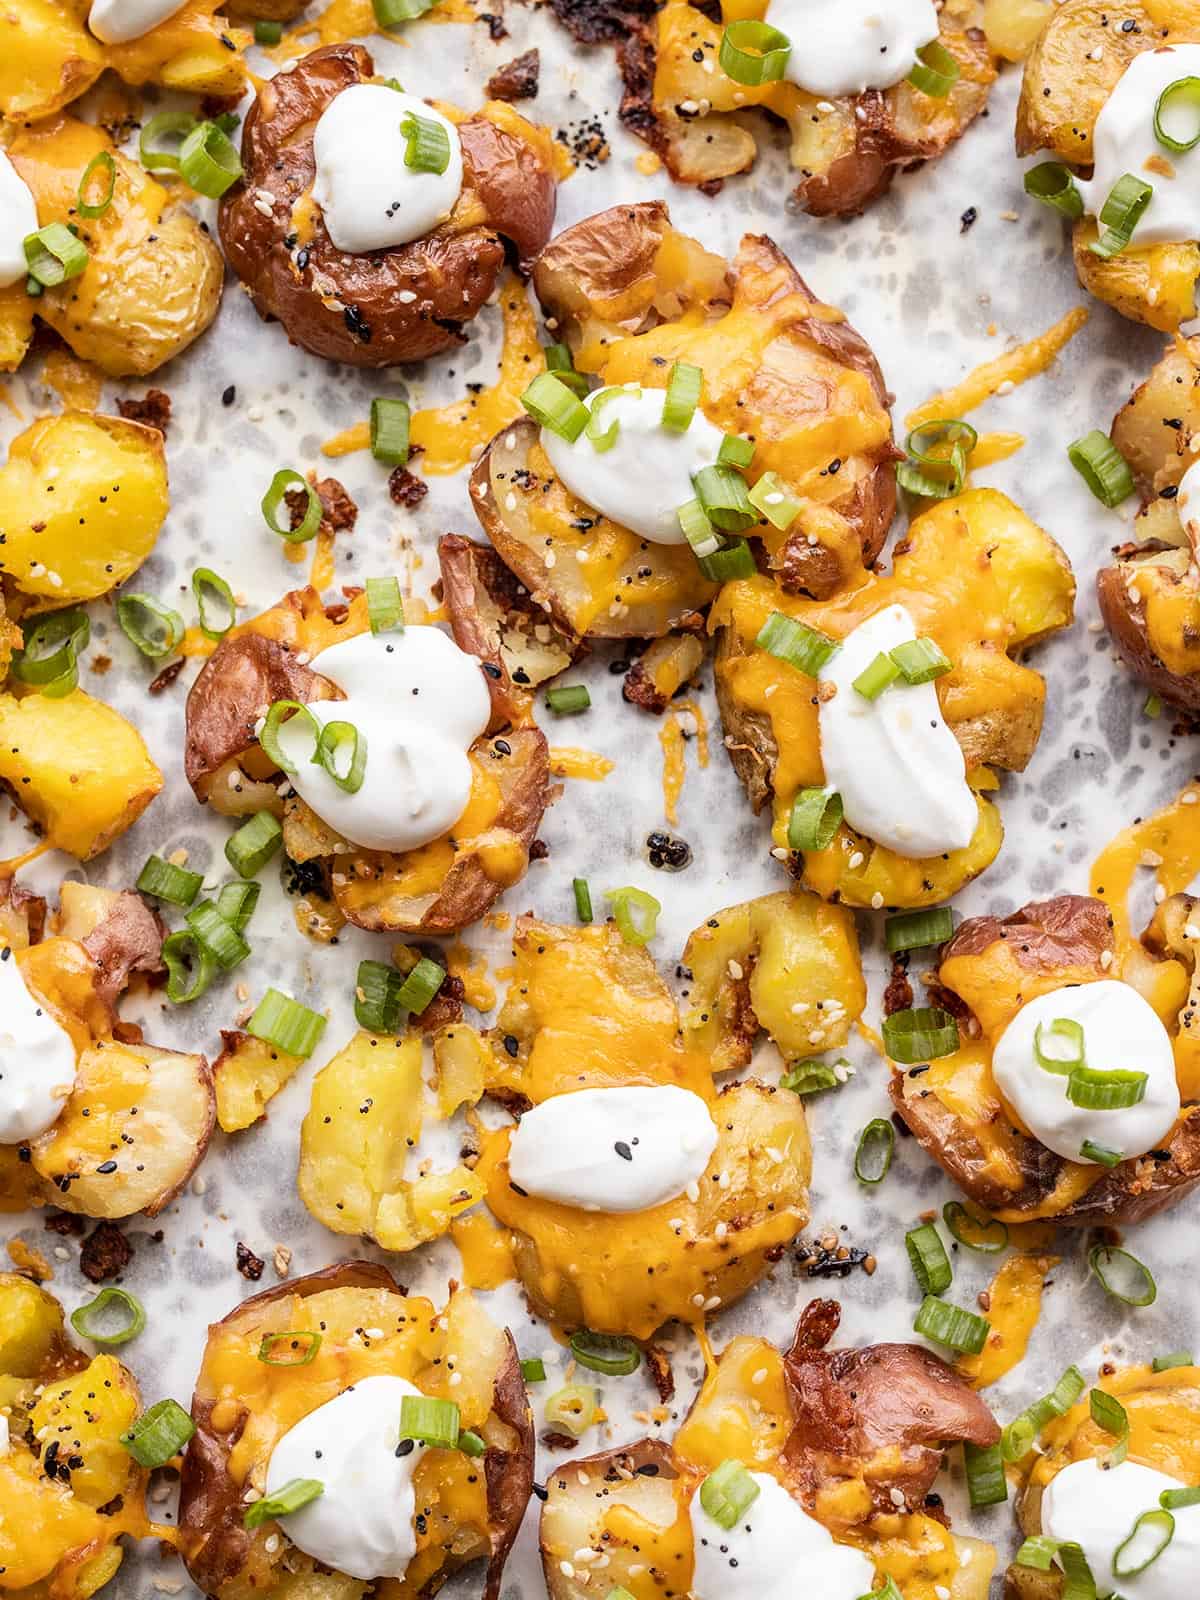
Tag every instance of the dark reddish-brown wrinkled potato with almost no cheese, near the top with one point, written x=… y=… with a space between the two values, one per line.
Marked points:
x=444 y=278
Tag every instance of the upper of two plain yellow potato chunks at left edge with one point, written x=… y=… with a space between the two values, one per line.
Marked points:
x=82 y=500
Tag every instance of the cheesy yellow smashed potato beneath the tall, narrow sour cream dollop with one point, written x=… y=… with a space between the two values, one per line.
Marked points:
x=978 y=577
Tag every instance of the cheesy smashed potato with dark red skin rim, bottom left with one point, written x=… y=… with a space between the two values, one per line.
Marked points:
x=471 y=1508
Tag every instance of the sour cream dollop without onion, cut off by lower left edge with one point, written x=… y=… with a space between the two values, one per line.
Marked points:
x=38 y=1060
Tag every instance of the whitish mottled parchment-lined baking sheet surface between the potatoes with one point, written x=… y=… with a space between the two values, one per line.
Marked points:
x=924 y=290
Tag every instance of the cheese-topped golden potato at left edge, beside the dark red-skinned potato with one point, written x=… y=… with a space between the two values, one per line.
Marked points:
x=153 y=281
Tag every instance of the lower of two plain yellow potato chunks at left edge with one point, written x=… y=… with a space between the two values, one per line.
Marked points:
x=78 y=769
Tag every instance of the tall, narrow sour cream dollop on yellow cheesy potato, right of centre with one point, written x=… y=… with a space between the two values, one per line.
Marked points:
x=895 y=762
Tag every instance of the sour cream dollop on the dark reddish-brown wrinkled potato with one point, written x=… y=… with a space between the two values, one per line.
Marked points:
x=370 y=199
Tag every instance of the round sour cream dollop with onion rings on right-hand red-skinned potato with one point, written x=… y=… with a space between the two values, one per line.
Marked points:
x=1121 y=1033
